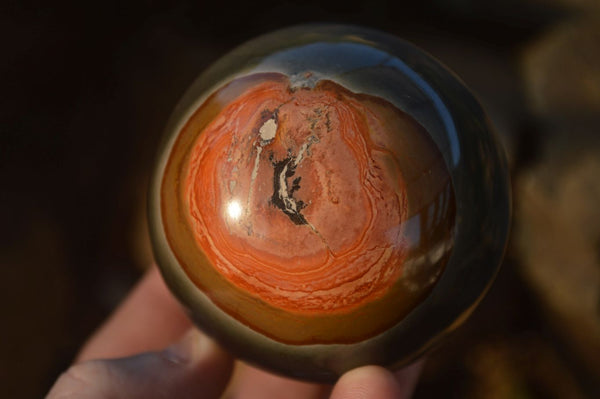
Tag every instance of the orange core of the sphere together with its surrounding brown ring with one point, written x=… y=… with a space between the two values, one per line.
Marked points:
x=310 y=214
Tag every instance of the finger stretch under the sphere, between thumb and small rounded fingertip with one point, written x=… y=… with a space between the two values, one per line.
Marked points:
x=251 y=383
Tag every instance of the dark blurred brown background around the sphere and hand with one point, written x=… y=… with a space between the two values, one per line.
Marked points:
x=86 y=89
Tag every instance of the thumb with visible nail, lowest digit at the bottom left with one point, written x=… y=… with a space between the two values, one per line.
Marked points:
x=192 y=367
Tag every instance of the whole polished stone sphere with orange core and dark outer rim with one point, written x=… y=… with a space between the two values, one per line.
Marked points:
x=328 y=197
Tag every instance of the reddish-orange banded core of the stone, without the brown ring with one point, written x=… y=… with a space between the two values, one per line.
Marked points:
x=294 y=197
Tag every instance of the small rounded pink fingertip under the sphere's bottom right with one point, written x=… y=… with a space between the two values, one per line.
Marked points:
x=368 y=382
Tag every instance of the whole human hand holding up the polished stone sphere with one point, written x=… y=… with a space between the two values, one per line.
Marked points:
x=126 y=358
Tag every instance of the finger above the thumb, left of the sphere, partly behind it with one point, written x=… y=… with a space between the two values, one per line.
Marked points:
x=149 y=319
